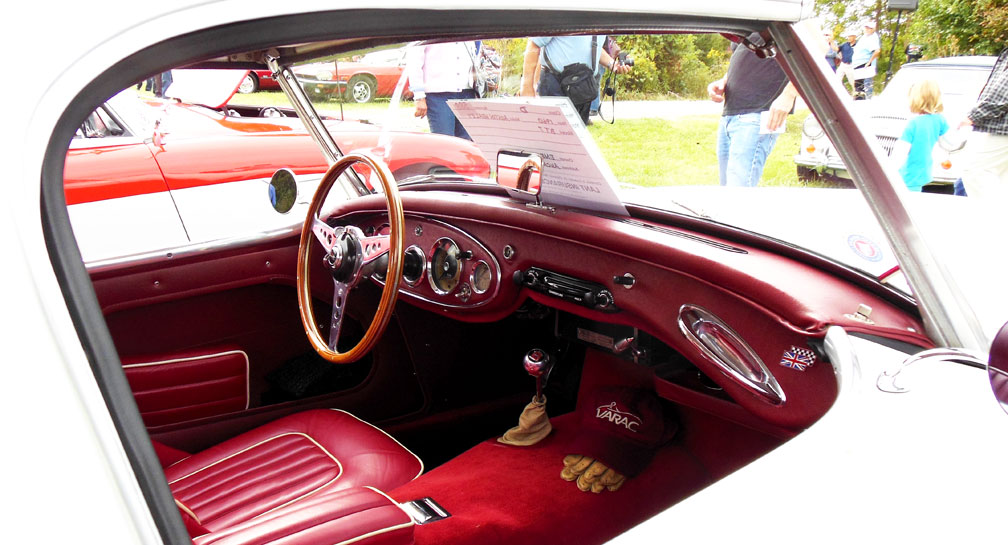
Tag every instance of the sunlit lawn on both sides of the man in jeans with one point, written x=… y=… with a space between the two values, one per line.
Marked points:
x=682 y=153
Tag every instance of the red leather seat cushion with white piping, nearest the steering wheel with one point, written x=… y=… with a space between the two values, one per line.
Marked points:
x=284 y=462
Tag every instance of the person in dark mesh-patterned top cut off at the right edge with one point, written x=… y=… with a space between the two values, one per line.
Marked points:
x=986 y=173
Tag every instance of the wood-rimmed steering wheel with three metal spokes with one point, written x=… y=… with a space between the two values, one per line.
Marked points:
x=348 y=253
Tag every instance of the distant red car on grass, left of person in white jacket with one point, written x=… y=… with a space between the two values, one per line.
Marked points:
x=362 y=80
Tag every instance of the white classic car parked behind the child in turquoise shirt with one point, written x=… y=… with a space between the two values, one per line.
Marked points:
x=961 y=80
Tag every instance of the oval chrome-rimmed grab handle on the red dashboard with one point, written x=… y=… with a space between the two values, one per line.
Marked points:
x=737 y=361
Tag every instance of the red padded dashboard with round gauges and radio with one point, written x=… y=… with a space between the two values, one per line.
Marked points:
x=691 y=296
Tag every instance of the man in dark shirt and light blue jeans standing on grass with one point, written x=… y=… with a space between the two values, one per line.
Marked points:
x=758 y=99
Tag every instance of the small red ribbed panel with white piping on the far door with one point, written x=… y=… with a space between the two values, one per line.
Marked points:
x=184 y=387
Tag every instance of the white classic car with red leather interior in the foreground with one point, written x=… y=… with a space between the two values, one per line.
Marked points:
x=775 y=365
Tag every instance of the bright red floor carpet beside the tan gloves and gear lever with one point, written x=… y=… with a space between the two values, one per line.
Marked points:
x=501 y=494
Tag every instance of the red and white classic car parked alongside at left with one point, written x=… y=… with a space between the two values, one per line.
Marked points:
x=159 y=163
